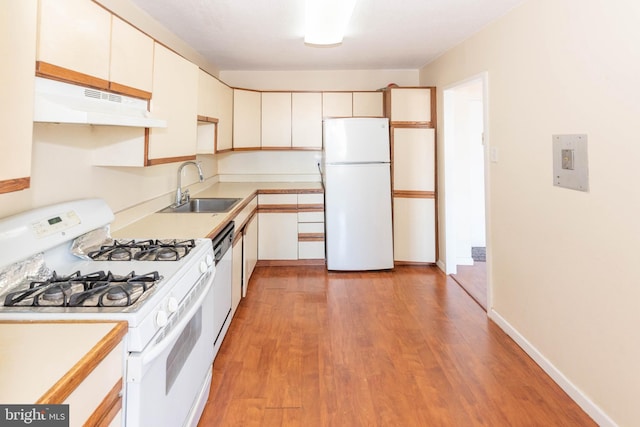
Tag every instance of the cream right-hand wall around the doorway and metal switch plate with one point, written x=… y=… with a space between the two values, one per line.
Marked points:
x=564 y=263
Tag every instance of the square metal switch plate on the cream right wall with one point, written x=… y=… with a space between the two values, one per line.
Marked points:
x=570 y=166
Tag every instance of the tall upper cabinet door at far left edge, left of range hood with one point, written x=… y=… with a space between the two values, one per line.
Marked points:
x=17 y=47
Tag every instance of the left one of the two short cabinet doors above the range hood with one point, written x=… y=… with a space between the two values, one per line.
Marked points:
x=75 y=34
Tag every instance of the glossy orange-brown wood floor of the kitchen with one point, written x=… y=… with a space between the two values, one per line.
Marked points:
x=408 y=348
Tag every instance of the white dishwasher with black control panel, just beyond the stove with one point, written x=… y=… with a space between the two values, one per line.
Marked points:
x=221 y=289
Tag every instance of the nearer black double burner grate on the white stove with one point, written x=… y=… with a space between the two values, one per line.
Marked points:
x=98 y=289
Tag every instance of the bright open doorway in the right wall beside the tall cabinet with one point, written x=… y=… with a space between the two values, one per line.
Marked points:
x=465 y=124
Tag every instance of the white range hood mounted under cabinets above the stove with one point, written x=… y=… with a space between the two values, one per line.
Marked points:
x=58 y=102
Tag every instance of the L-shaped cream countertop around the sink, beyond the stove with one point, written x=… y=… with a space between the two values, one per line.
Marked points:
x=194 y=225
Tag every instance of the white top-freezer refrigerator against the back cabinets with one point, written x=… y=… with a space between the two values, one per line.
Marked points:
x=357 y=184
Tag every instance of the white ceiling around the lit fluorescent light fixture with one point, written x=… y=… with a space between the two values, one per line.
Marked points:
x=268 y=34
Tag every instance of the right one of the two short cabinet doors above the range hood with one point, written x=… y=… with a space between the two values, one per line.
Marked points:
x=131 y=56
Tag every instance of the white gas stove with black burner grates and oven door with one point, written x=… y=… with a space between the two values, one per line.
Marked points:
x=50 y=269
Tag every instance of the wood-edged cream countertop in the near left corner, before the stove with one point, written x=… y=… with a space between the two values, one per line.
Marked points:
x=42 y=359
